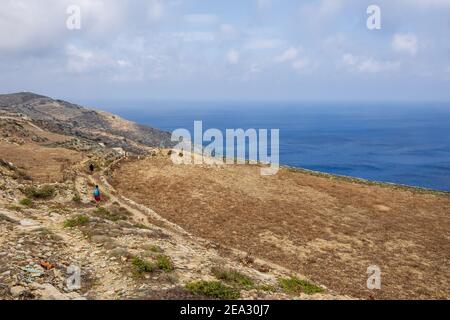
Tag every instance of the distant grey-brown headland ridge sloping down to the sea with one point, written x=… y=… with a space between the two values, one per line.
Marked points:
x=65 y=118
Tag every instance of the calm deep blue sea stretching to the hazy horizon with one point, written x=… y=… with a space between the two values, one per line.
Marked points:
x=398 y=143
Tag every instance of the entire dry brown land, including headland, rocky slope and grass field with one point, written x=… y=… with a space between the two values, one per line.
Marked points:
x=165 y=231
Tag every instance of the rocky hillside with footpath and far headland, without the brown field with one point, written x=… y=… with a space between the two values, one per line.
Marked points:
x=123 y=249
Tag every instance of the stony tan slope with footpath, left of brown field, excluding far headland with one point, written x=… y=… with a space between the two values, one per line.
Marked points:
x=36 y=236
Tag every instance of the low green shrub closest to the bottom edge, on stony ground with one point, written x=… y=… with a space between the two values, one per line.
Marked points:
x=213 y=289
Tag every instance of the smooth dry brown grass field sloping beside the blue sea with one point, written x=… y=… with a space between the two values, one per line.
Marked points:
x=330 y=230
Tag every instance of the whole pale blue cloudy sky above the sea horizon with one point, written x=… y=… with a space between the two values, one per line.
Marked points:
x=317 y=50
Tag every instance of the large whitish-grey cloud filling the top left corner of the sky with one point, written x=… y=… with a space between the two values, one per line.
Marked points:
x=42 y=24
